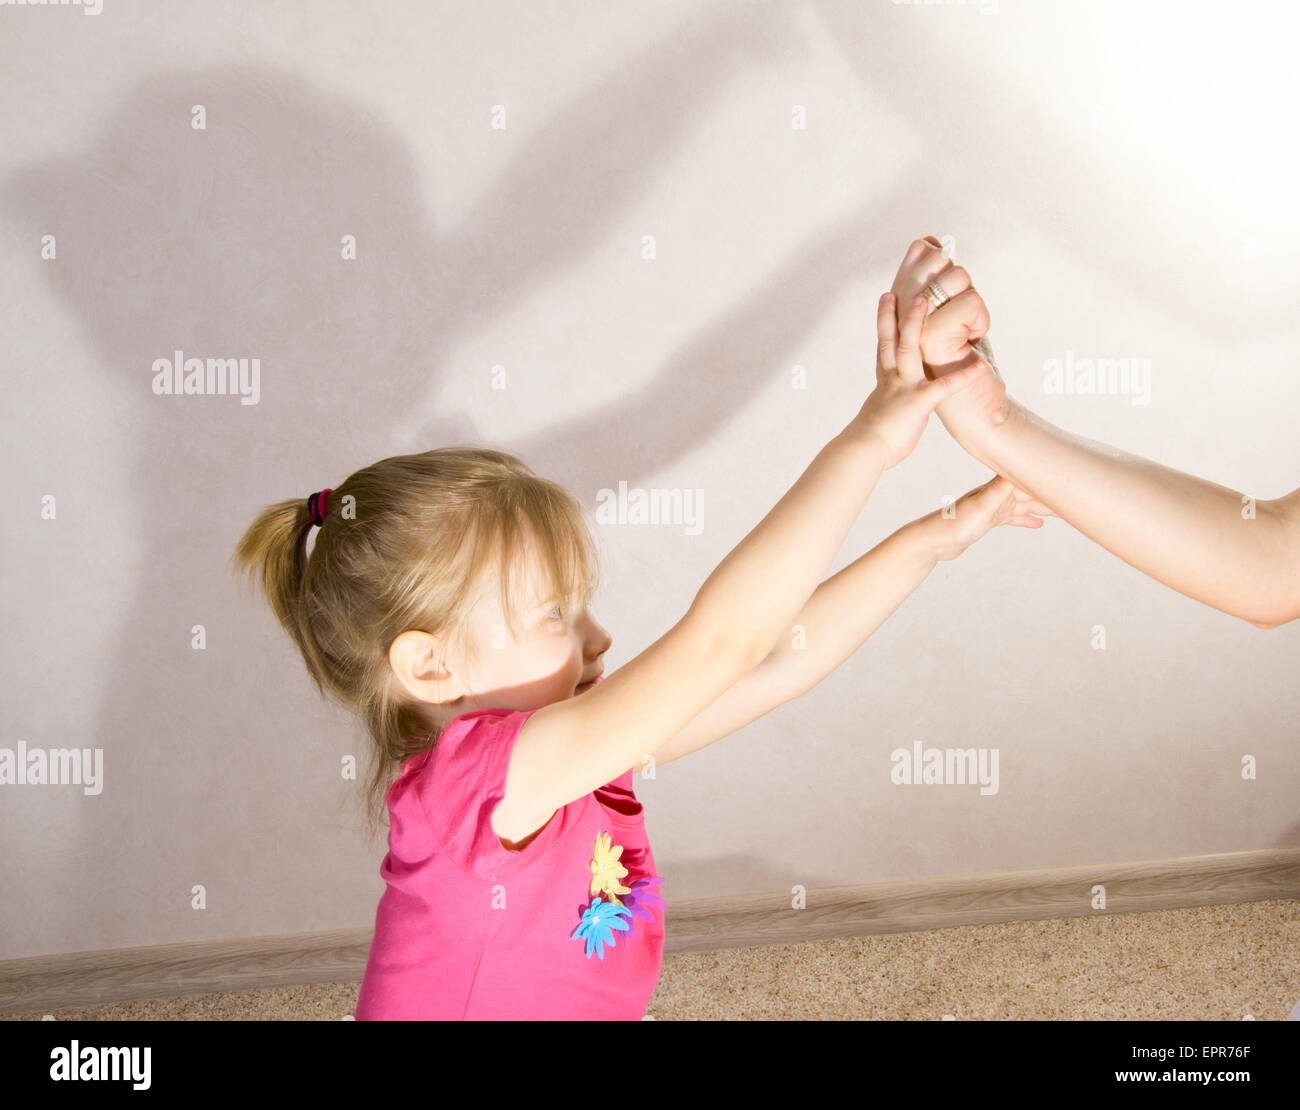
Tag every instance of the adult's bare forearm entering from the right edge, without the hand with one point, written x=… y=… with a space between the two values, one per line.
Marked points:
x=1201 y=539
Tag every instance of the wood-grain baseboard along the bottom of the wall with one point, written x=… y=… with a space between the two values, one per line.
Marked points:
x=166 y=972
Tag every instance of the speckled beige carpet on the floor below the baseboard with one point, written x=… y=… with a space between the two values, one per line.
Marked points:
x=1210 y=964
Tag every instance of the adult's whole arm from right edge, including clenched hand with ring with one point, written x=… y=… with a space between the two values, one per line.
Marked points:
x=1201 y=539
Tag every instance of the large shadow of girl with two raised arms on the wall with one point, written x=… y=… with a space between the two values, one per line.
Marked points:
x=226 y=244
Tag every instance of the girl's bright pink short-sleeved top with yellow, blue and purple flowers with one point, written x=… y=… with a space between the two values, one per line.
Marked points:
x=571 y=927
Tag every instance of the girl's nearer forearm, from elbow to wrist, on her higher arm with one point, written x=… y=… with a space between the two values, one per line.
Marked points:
x=756 y=592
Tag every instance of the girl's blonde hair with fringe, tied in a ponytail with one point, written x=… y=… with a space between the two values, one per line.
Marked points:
x=405 y=545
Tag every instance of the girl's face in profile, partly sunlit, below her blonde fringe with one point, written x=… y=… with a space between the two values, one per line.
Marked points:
x=557 y=653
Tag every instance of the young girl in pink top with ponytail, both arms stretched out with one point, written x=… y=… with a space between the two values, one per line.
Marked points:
x=447 y=602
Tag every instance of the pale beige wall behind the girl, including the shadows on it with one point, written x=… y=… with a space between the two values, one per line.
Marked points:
x=1107 y=185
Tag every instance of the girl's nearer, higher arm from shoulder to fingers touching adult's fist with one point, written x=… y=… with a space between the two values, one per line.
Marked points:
x=571 y=748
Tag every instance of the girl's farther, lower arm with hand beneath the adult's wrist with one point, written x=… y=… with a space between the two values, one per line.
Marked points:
x=847 y=609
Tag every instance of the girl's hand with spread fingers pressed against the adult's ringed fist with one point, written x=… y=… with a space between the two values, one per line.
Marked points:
x=898 y=410
